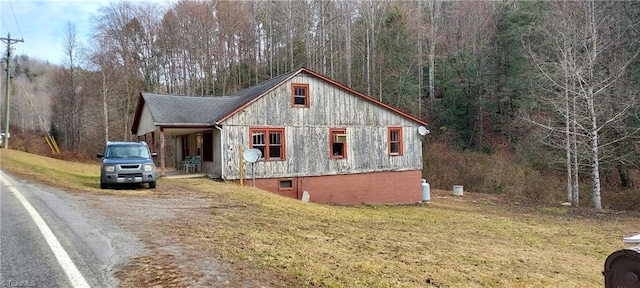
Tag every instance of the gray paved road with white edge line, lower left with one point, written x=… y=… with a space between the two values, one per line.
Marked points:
x=73 y=246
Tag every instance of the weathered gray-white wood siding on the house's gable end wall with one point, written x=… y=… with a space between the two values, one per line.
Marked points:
x=307 y=133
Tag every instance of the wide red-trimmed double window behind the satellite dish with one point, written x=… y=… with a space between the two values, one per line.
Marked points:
x=270 y=141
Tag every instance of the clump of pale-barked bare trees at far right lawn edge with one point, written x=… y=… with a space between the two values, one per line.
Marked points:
x=582 y=77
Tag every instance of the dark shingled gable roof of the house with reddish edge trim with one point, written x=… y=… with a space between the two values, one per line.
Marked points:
x=182 y=110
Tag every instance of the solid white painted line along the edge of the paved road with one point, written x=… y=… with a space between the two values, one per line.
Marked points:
x=74 y=275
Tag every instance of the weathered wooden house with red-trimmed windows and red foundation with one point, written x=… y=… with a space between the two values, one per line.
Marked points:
x=315 y=135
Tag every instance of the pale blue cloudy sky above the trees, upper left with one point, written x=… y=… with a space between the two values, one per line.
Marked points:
x=41 y=24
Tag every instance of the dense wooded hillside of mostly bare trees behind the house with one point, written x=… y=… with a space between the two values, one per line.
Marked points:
x=533 y=96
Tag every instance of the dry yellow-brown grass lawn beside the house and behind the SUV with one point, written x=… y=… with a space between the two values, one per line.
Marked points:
x=477 y=240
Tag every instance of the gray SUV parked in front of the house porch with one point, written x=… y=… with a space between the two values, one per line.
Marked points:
x=127 y=162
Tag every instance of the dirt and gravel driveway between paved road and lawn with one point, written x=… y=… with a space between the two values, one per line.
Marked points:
x=160 y=218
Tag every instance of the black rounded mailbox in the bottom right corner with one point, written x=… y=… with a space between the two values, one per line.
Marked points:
x=622 y=268
